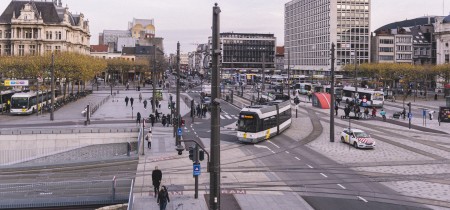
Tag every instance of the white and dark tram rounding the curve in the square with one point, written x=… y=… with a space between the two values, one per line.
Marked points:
x=261 y=122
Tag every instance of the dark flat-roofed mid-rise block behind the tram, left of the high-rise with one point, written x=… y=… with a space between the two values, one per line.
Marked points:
x=244 y=52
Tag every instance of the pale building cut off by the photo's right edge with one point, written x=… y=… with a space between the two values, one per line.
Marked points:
x=442 y=33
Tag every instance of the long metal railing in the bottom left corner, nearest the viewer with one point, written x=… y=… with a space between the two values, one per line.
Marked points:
x=66 y=193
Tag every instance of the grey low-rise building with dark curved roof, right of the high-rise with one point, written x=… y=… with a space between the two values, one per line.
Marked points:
x=419 y=42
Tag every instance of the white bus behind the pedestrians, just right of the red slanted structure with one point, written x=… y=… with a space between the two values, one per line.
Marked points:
x=366 y=97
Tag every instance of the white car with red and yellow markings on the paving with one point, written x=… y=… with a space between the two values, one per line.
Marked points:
x=357 y=138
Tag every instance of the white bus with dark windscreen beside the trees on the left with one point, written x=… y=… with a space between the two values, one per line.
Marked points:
x=28 y=103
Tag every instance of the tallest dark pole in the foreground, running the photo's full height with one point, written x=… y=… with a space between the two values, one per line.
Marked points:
x=214 y=198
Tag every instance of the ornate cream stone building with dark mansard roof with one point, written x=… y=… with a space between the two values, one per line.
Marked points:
x=36 y=27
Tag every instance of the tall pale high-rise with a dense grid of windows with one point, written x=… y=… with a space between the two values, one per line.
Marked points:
x=311 y=27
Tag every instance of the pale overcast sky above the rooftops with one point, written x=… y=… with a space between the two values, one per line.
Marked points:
x=189 y=21
